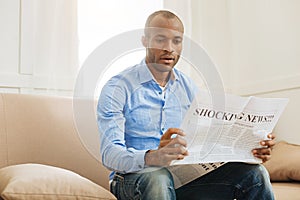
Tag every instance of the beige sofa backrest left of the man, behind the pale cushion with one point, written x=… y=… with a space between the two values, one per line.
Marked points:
x=42 y=129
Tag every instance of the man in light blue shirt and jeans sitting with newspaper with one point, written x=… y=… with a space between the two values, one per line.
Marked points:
x=142 y=107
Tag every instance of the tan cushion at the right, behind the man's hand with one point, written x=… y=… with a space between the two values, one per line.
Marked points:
x=284 y=164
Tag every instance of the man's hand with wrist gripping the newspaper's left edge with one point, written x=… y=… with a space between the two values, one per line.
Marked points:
x=169 y=149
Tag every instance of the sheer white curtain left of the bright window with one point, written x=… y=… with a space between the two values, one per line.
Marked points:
x=49 y=44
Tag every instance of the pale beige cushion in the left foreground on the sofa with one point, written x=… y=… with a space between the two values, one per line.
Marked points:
x=36 y=181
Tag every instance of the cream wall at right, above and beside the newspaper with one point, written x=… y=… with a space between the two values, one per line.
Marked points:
x=266 y=56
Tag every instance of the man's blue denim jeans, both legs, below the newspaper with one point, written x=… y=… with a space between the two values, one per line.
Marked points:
x=230 y=181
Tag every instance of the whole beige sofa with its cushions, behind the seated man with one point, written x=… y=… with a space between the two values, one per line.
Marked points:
x=44 y=154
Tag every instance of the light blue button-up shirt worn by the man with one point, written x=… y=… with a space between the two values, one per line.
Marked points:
x=134 y=112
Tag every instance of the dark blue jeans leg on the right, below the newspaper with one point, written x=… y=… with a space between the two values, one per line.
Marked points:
x=231 y=181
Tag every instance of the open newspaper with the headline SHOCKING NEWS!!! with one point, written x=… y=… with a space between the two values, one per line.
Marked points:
x=224 y=128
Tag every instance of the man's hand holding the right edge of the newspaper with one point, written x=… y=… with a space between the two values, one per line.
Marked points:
x=264 y=153
